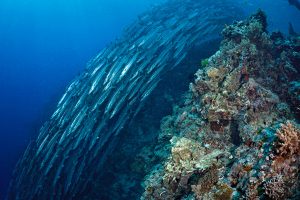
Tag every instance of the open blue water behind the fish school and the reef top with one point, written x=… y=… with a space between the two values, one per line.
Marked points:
x=45 y=44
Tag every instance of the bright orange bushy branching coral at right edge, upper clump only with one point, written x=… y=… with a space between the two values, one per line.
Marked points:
x=289 y=140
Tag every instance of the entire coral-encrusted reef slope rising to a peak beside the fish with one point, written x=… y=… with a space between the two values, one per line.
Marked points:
x=235 y=136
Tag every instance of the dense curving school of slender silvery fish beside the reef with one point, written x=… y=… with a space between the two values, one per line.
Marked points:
x=79 y=144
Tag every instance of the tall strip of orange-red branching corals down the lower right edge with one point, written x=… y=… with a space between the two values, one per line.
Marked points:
x=285 y=164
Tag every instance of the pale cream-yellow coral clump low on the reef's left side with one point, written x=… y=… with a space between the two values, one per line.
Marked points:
x=189 y=163
